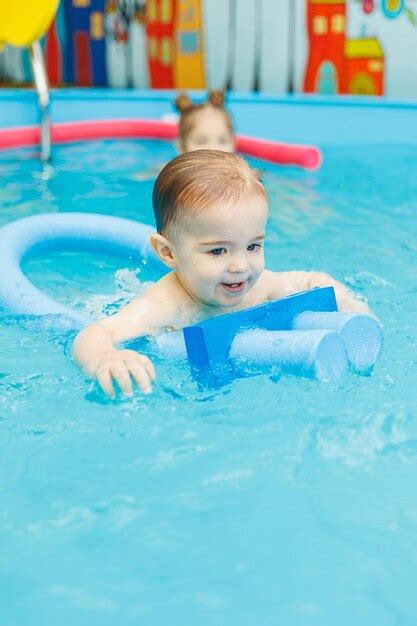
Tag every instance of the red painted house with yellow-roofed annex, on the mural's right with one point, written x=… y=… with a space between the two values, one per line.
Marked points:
x=336 y=64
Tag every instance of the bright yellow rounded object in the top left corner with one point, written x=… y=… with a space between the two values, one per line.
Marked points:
x=24 y=21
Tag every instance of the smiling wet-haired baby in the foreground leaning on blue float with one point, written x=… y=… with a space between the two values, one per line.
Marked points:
x=210 y=210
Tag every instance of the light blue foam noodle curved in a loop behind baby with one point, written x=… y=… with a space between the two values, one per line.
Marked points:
x=40 y=234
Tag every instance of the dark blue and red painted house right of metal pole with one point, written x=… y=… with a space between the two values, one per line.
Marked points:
x=86 y=63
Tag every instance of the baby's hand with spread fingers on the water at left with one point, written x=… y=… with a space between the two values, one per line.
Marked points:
x=122 y=366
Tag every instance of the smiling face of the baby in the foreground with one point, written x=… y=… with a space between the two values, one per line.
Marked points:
x=219 y=254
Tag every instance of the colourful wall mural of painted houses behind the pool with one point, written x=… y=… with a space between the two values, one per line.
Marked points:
x=360 y=47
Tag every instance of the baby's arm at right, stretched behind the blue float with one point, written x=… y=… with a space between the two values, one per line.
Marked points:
x=286 y=283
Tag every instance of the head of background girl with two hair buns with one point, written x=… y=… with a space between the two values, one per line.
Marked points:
x=207 y=125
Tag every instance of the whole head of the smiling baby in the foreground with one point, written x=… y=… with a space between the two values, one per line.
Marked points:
x=210 y=209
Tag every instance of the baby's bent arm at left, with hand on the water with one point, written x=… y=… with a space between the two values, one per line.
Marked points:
x=95 y=349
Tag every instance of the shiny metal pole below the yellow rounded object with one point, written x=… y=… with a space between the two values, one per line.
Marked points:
x=41 y=83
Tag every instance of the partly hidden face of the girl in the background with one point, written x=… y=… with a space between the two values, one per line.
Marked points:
x=209 y=131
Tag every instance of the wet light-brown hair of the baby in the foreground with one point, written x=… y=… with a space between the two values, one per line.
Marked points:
x=194 y=181
